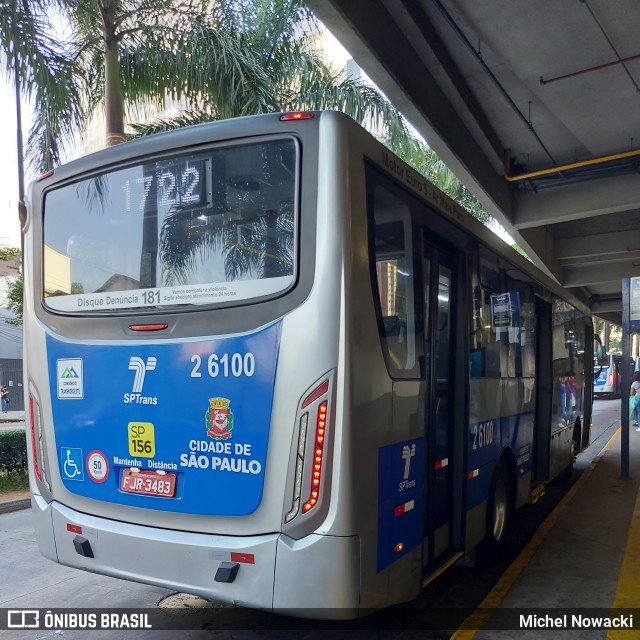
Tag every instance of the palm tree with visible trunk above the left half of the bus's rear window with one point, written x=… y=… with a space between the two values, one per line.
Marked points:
x=141 y=52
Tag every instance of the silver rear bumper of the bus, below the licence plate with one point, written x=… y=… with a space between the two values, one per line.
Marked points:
x=316 y=577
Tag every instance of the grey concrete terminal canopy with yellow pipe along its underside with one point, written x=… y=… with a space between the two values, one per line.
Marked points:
x=536 y=108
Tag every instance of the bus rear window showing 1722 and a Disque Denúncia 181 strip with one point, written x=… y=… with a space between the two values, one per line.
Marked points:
x=206 y=228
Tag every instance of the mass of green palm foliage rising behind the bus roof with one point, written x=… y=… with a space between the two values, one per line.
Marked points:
x=220 y=59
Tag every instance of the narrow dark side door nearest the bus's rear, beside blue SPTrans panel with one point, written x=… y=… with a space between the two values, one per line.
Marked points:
x=439 y=280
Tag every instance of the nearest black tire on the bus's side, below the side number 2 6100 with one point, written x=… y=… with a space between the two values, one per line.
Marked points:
x=499 y=508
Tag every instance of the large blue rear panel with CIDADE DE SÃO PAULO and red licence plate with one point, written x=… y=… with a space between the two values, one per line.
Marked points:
x=176 y=426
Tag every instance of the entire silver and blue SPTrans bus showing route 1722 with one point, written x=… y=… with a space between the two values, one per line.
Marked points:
x=283 y=370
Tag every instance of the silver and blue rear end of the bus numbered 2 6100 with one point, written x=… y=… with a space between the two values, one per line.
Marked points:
x=182 y=431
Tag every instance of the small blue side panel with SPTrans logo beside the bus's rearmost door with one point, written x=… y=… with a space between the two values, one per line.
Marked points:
x=400 y=500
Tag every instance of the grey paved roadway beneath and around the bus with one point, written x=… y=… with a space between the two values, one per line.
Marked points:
x=30 y=581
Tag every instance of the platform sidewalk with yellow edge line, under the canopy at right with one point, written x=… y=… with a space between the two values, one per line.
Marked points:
x=583 y=557
